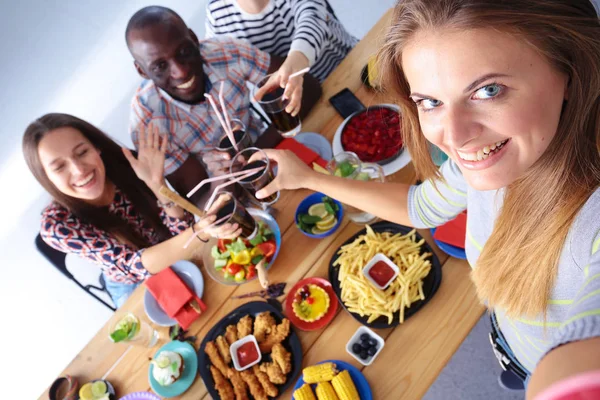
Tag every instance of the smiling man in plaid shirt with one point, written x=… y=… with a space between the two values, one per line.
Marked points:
x=178 y=70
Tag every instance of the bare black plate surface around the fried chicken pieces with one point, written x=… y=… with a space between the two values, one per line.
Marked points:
x=253 y=308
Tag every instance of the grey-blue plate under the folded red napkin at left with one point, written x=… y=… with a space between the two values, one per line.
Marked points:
x=191 y=276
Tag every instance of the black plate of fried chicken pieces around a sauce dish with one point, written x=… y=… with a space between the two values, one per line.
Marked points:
x=291 y=344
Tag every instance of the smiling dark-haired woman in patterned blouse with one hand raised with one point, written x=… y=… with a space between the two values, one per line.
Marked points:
x=107 y=206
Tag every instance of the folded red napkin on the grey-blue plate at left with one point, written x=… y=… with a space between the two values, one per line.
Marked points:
x=173 y=296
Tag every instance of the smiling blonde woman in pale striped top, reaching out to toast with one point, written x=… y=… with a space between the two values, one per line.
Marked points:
x=510 y=92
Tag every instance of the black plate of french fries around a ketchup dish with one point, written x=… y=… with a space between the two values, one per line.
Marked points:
x=385 y=309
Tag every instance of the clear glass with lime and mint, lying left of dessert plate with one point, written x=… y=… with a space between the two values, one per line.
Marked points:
x=130 y=329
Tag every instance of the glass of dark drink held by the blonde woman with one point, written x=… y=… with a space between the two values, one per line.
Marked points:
x=258 y=180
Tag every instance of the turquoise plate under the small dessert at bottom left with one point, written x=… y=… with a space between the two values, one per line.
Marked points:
x=188 y=375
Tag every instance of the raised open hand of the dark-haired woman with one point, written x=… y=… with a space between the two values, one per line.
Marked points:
x=150 y=163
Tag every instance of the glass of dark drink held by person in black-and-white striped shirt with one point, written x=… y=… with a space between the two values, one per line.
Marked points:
x=274 y=105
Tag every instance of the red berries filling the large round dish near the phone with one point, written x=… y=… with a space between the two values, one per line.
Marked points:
x=374 y=135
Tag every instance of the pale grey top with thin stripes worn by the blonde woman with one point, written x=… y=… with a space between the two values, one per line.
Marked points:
x=574 y=308
